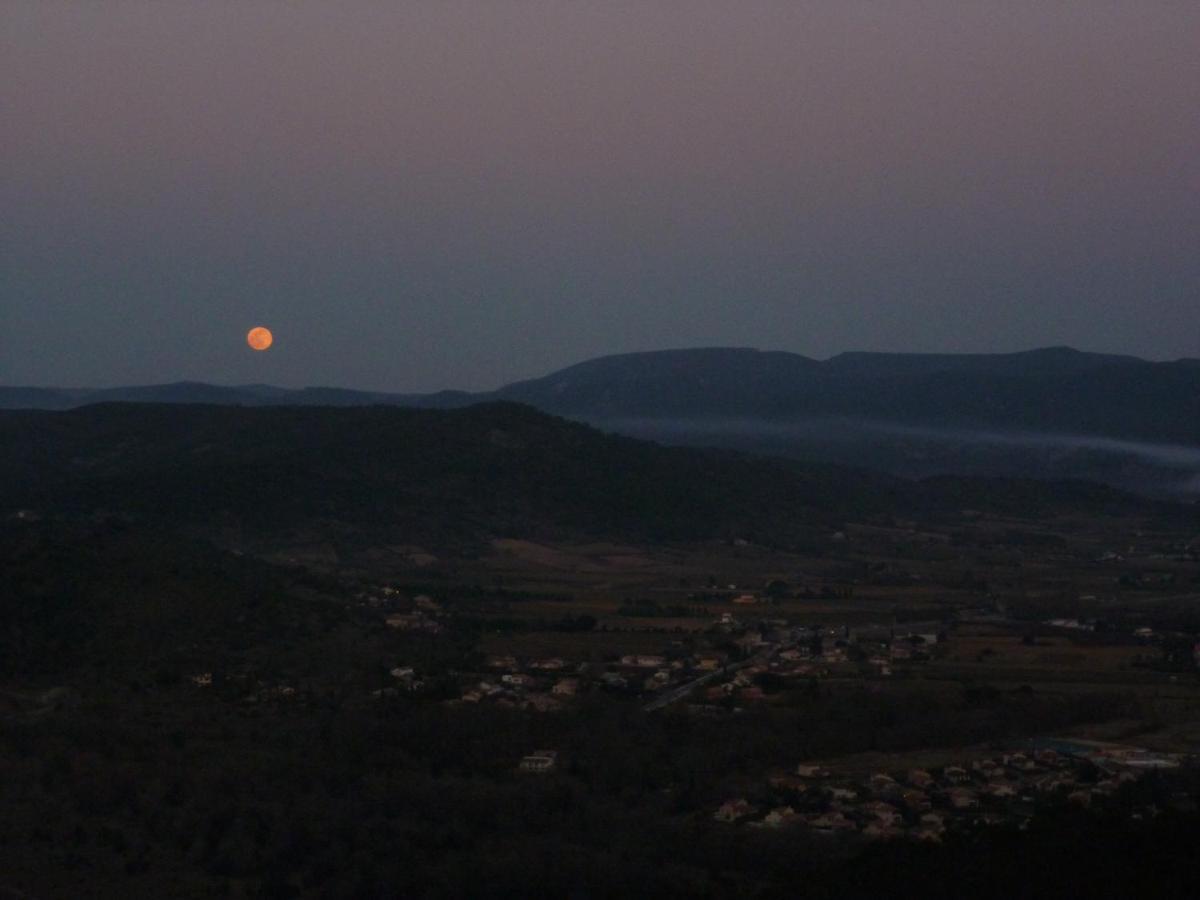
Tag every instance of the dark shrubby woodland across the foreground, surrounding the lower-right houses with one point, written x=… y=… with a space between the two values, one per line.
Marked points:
x=172 y=791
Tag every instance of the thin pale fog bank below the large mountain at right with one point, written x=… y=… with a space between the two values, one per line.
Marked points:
x=1166 y=471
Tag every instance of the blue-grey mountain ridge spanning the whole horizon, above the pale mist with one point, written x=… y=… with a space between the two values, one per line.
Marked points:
x=1058 y=391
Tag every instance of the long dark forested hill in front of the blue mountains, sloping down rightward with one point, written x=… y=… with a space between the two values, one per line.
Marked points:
x=440 y=476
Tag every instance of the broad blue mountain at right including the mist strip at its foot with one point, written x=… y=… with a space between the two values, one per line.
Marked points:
x=1052 y=413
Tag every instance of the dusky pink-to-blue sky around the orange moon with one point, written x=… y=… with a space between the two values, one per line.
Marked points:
x=440 y=195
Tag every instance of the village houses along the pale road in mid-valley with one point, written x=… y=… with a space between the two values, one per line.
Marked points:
x=739 y=658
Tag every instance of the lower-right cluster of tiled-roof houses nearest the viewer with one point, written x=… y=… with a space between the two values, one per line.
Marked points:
x=922 y=805
